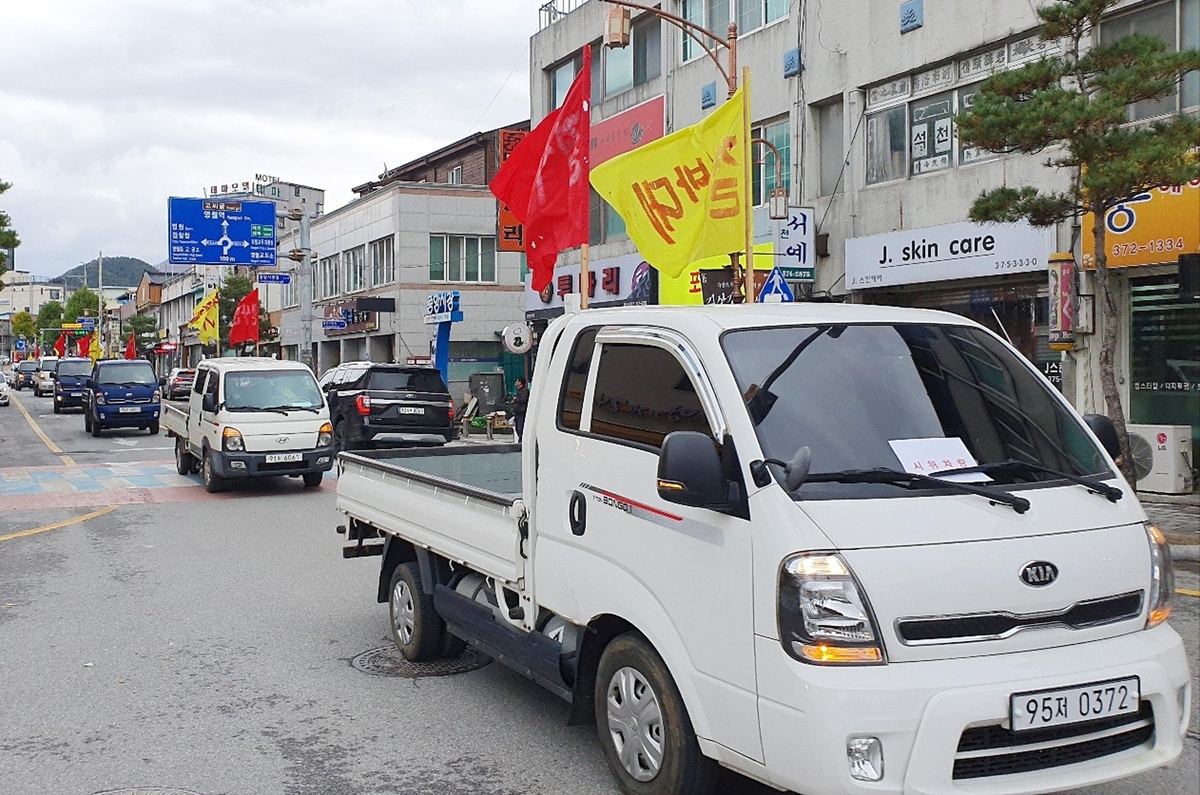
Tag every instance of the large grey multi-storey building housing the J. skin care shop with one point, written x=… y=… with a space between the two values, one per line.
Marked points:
x=860 y=100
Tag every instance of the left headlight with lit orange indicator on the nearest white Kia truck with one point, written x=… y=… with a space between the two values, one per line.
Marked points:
x=824 y=614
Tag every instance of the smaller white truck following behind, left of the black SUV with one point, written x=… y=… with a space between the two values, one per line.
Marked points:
x=251 y=417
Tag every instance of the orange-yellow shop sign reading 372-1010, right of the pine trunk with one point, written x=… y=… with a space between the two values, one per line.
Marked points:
x=1151 y=229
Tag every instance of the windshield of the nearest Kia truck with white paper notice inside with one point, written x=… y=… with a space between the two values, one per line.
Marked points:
x=910 y=397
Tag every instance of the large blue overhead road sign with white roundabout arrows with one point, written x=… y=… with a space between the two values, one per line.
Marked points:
x=221 y=232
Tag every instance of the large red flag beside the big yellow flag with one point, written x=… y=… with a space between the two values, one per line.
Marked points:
x=545 y=180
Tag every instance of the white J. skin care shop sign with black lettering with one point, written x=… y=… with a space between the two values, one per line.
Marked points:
x=944 y=253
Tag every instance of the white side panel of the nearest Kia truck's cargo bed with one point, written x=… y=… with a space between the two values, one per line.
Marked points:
x=460 y=528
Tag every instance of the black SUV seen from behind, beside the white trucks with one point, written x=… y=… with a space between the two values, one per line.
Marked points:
x=387 y=401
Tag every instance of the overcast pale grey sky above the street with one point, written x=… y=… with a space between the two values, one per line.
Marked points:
x=109 y=107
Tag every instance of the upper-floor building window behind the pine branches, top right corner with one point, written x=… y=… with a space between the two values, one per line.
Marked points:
x=1178 y=23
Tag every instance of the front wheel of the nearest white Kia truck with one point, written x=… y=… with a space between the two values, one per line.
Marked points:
x=637 y=677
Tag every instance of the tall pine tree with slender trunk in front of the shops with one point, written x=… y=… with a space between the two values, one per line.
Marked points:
x=1076 y=106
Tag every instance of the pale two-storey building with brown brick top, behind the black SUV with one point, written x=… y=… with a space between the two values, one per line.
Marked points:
x=424 y=228
